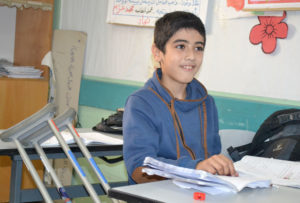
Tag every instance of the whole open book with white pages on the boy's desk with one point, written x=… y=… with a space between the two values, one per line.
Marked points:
x=254 y=172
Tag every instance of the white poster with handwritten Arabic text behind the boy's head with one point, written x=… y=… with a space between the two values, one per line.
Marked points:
x=146 y=12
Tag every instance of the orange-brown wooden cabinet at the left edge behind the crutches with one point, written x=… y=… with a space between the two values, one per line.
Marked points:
x=20 y=98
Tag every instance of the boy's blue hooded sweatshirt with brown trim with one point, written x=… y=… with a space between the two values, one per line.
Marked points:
x=181 y=132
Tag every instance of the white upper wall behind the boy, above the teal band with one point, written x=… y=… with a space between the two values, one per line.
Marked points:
x=231 y=64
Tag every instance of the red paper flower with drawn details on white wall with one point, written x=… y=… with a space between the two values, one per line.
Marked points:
x=269 y=29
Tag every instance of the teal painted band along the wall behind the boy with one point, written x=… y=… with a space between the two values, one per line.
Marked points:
x=245 y=113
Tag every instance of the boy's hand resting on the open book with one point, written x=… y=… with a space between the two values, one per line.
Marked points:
x=217 y=164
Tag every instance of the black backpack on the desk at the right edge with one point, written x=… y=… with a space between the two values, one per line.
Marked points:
x=278 y=137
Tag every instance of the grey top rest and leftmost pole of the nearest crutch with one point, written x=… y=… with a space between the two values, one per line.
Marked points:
x=23 y=129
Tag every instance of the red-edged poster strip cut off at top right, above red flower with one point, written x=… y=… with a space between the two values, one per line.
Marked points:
x=266 y=5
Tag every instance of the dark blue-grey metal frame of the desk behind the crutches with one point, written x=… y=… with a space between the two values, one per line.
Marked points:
x=30 y=195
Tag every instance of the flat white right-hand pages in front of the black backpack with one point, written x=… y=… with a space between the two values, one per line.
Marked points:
x=280 y=172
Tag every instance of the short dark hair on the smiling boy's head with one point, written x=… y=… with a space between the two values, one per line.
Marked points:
x=170 y=23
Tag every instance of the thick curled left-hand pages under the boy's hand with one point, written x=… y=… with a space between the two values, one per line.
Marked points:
x=201 y=180
